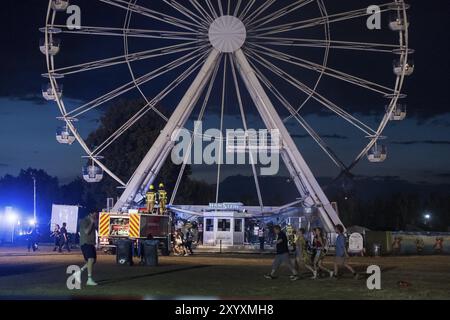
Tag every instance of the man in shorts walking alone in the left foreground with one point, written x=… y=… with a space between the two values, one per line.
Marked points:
x=87 y=244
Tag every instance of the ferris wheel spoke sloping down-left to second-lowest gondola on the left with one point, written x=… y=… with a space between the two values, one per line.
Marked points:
x=132 y=84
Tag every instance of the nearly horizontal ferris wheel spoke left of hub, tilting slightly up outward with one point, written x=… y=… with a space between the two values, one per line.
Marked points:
x=132 y=33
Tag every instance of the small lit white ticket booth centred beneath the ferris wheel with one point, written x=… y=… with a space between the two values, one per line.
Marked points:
x=223 y=227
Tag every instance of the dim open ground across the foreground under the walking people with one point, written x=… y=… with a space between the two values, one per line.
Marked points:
x=43 y=275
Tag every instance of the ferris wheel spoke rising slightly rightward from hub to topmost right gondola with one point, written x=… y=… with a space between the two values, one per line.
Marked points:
x=338 y=17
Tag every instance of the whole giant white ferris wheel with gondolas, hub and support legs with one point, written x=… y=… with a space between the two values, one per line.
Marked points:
x=277 y=52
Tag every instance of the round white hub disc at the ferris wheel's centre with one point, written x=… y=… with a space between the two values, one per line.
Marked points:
x=227 y=34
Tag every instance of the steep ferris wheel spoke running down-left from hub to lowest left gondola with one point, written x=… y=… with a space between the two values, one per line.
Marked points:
x=151 y=105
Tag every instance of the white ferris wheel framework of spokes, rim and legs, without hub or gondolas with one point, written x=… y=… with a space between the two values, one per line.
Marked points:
x=243 y=60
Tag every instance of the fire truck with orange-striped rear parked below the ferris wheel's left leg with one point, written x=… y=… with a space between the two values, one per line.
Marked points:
x=135 y=226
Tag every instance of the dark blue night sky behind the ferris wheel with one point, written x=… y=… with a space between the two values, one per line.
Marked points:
x=419 y=147
